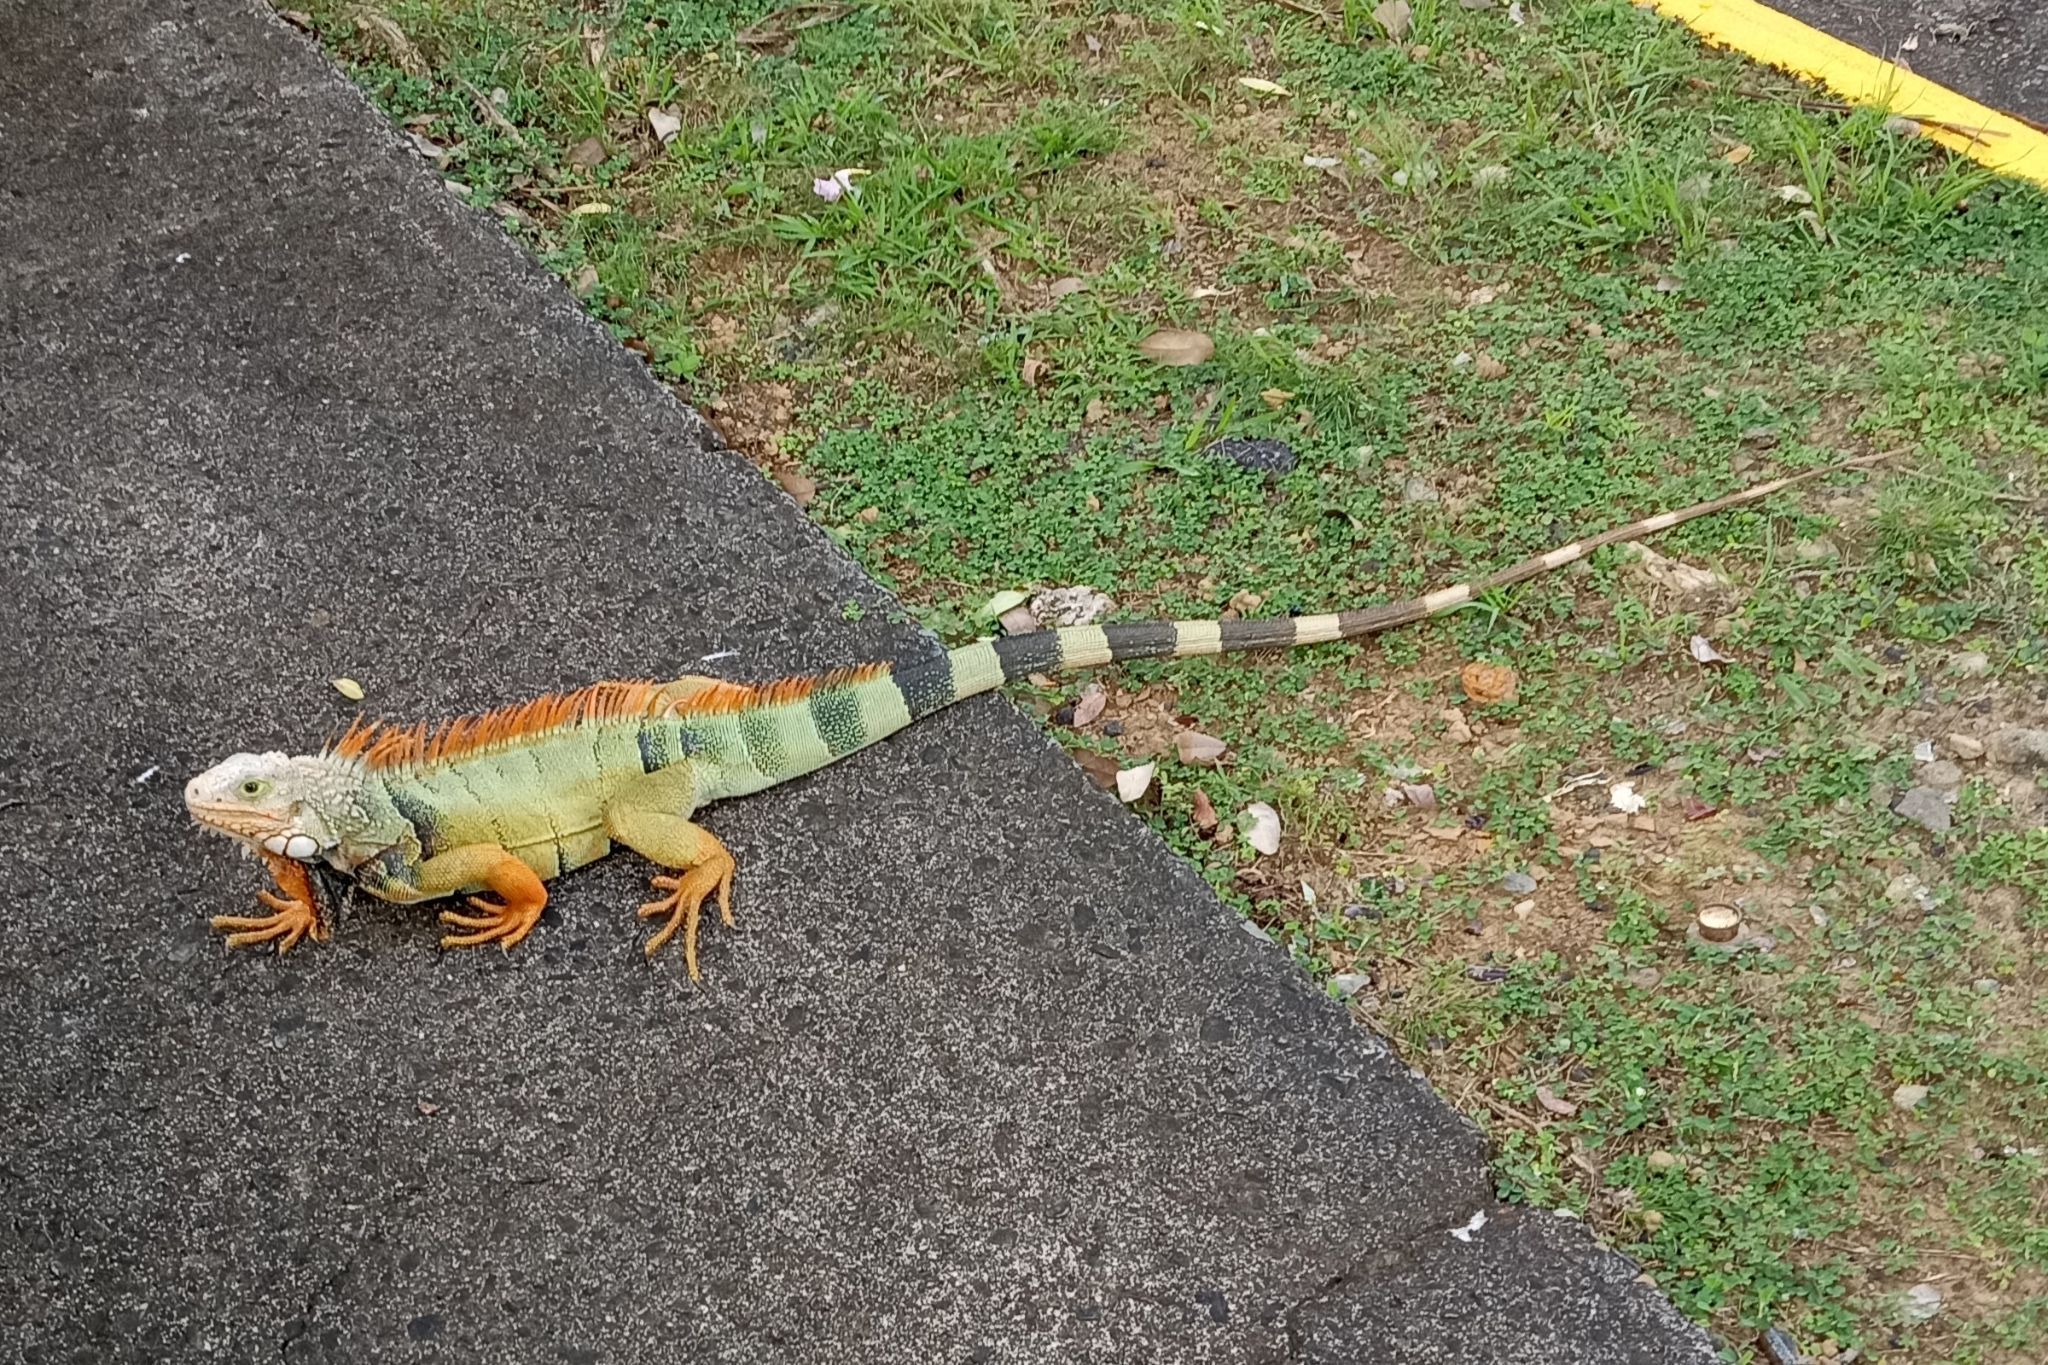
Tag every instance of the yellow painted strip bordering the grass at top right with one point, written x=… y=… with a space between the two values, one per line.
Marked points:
x=1998 y=142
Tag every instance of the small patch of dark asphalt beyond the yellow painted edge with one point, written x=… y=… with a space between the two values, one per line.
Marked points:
x=1992 y=50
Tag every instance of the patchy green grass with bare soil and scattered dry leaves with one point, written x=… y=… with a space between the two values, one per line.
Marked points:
x=1496 y=285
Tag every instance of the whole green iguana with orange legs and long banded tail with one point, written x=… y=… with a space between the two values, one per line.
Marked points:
x=511 y=799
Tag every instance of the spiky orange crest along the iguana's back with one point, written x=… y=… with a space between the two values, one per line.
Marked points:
x=384 y=746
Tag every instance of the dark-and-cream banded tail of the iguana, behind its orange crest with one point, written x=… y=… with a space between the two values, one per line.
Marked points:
x=990 y=664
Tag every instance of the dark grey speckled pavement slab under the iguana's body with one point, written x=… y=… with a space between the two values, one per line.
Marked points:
x=986 y=1075
